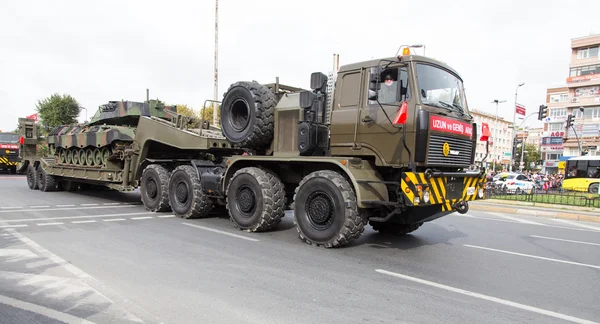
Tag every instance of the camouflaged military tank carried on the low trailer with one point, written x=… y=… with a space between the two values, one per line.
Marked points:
x=104 y=138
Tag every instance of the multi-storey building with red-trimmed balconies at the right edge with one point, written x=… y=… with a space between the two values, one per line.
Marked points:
x=579 y=97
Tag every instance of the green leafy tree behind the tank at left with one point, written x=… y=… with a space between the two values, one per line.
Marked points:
x=57 y=110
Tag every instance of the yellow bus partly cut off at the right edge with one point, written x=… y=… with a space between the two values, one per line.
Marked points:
x=582 y=174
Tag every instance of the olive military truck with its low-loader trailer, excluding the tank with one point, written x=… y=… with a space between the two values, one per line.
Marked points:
x=386 y=142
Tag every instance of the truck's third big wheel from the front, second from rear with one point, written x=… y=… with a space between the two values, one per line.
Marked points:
x=185 y=194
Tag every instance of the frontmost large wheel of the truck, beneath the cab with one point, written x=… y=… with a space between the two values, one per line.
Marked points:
x=325 y=210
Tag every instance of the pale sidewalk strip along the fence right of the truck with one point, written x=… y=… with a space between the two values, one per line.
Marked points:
x=587 y=214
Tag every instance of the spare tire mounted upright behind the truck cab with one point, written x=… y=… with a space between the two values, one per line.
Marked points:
x=247 y=115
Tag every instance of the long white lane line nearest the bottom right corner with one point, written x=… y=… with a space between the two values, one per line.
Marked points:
x=488 y=298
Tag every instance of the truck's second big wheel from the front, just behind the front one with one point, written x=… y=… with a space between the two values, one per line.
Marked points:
x=255 y=199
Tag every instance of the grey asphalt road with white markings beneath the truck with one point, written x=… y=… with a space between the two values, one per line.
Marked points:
x=100 y=256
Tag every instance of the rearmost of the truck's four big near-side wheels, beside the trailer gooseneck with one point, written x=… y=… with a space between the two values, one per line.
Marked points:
x=154 y=188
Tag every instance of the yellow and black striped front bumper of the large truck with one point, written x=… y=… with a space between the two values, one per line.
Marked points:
x=415 y=184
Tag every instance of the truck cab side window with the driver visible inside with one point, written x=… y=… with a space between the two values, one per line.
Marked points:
x=394 y=86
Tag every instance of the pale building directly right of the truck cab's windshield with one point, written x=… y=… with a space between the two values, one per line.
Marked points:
x=500 y=143
